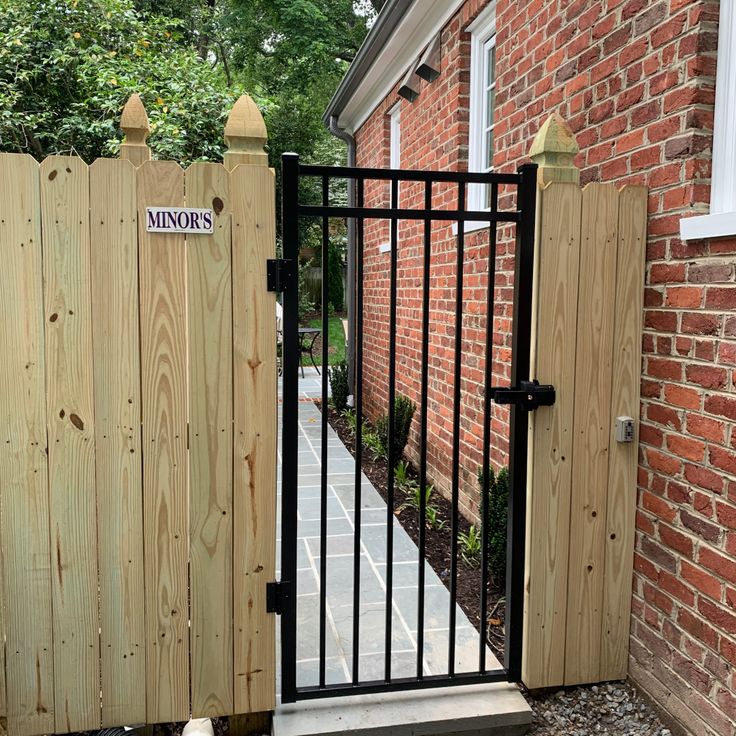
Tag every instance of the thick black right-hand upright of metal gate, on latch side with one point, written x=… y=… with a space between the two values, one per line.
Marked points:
x=519 y=441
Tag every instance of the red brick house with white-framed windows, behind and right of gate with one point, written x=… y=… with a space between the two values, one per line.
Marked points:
x=649 y=89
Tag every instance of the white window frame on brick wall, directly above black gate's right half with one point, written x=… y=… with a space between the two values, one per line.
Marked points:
x=482 y=36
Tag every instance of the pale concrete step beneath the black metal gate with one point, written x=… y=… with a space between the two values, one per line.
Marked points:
x=470 y=710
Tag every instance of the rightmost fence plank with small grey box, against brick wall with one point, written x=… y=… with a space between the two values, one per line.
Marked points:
x=623 y=460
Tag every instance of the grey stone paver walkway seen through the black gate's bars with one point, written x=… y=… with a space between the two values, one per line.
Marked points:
x=339 y=579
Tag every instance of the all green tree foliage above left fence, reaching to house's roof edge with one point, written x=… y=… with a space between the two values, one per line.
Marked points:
x=67 y=67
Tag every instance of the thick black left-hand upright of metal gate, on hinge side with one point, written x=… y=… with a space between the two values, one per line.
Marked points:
x=289 y=426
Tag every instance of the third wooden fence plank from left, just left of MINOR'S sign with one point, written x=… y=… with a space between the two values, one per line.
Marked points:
x=116 y=339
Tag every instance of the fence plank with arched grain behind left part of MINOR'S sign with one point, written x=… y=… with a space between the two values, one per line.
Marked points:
x=162 y=265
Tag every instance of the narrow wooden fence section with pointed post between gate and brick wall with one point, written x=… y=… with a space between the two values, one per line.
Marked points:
x=580 y=541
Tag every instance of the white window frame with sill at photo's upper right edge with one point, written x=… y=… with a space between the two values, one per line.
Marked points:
x=722 y=218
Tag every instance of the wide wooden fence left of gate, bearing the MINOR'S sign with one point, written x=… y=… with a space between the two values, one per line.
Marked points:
x=138 y=452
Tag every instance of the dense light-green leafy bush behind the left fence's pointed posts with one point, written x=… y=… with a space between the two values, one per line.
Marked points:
x=68 y=66
